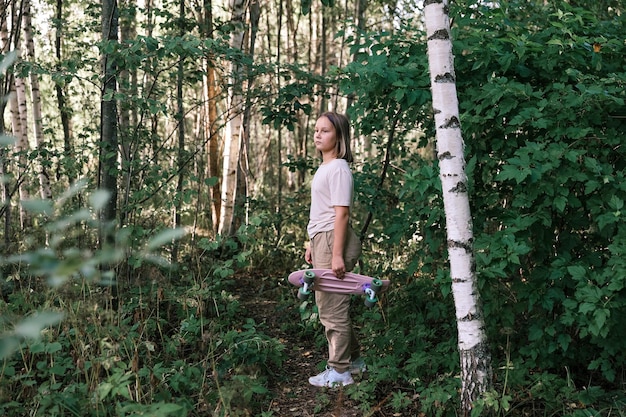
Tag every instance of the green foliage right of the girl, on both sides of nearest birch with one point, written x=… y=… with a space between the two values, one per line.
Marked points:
x=542 y=109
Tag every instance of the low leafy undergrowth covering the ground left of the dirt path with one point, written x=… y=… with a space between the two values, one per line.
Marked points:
x=167 y=350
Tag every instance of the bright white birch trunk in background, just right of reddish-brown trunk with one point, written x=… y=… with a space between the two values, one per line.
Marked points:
x=234 y=131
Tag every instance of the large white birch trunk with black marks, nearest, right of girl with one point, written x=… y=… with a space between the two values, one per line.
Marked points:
x=472 y=341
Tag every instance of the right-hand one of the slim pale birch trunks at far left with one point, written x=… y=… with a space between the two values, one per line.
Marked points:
x=44 y=179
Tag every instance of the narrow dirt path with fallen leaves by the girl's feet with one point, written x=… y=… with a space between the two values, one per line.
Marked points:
x=291 y=393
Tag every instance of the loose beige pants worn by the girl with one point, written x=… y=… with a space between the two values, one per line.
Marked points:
x=334 y=309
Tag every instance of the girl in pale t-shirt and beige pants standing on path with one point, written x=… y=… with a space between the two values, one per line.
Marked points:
x=334 y=245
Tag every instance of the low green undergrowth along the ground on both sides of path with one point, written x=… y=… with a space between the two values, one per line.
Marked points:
x=178 y=343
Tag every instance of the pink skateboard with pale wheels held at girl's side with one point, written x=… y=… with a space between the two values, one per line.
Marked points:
x=310 y=280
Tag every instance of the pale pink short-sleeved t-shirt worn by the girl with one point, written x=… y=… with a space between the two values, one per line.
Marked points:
x=331 y=186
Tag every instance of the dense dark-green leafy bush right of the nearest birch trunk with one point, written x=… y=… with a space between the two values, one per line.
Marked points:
x=542 y=124
